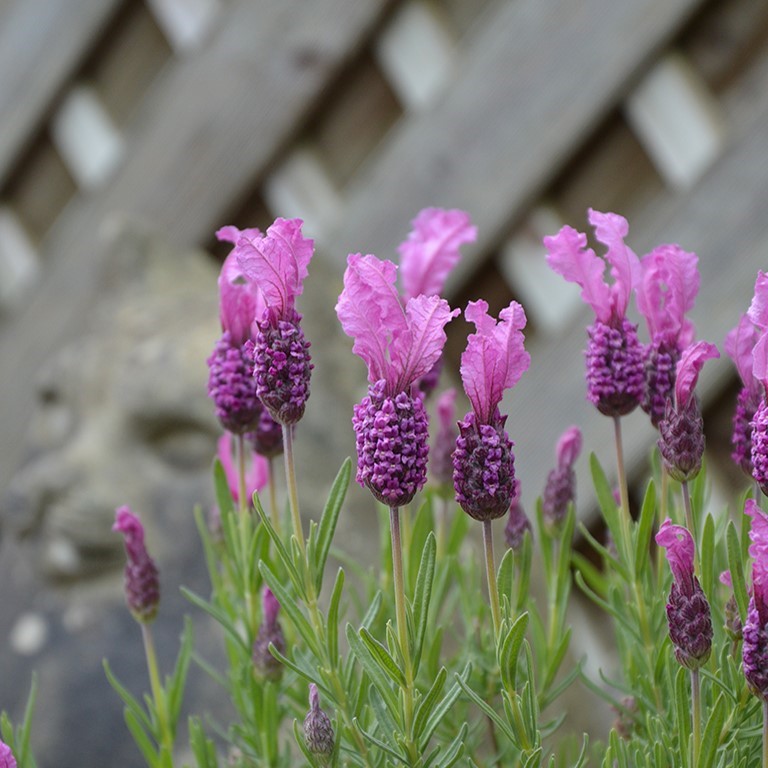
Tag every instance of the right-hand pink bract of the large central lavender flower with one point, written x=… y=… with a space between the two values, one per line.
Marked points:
x=415 y=351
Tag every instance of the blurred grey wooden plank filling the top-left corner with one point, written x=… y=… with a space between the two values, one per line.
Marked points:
x=41 y=43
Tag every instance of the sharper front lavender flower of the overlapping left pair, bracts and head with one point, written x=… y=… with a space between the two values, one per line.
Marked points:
x=277 y=263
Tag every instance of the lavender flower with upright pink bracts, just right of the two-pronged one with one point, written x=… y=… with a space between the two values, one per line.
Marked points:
x=666 y=292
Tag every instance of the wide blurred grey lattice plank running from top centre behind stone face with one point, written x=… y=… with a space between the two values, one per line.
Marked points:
x=210 y=124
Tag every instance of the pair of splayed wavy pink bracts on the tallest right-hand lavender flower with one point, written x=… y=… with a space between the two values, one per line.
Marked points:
x=570 y=257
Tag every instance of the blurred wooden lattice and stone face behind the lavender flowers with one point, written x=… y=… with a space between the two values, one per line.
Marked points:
x=130 y=130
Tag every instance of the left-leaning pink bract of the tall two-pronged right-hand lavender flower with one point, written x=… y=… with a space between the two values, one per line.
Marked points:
x=568 y=255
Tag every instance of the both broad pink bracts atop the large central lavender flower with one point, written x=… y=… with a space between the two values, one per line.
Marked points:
x=398 y=344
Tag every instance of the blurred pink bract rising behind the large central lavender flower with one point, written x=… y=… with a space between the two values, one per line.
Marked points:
x=432 y=250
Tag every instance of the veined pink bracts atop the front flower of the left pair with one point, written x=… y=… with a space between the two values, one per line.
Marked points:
x=277 y=263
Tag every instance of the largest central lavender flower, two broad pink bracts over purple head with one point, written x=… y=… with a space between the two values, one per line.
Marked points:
x=399 y=344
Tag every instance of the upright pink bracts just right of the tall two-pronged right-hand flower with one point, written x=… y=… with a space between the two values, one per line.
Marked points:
x=667 y=290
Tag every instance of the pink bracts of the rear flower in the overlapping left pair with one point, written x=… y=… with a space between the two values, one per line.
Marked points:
x=241 y=303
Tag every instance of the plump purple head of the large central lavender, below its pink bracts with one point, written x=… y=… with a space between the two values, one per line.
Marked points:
x=391 y=435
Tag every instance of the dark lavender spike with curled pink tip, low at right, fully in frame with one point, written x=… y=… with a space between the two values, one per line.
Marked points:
x=688 y=612
